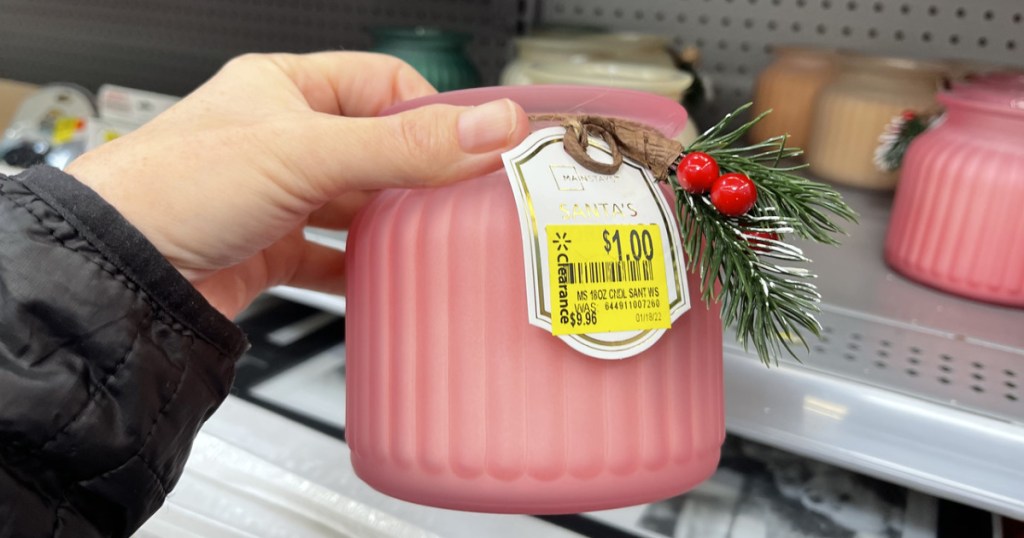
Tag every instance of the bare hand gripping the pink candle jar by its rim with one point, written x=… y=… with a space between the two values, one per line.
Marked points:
x=225 y=182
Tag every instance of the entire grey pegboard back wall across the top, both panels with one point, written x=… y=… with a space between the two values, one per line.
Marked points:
x=174 y=46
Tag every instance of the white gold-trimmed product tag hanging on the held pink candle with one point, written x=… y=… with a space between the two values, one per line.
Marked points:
x=605 y=265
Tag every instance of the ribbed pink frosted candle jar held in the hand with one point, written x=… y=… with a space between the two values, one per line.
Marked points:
x=456 y=401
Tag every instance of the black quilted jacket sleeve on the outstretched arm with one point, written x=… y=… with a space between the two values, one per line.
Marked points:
x=110 y=363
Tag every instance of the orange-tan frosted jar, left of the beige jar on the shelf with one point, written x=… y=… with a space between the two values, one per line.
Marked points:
x=789 y=88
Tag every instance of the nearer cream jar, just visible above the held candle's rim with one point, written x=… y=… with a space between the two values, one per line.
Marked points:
x=667 y=82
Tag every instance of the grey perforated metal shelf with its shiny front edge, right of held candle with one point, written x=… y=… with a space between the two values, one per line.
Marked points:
x=910 y=385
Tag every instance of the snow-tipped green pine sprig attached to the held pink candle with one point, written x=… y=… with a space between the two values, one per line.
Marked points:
x=743 y=262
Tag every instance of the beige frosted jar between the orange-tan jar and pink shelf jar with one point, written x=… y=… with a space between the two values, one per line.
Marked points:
x=854 y=110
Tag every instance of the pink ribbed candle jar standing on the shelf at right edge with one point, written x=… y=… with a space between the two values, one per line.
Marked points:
x=958 y=223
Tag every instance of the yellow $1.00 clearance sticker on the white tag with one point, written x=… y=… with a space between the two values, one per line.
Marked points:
x=607 y=278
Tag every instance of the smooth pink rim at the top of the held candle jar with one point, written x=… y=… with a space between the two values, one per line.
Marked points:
x=660 y=113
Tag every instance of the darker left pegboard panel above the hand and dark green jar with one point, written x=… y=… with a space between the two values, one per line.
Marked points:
x=174 y=46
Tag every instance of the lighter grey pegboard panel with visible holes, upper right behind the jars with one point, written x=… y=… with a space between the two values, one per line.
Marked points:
x=736 y=36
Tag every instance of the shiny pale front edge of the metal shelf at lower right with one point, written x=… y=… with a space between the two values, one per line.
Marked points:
x=923 y=445
